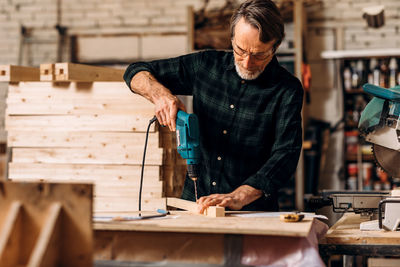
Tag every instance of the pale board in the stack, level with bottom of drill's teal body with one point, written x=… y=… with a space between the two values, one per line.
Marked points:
x=85 y=156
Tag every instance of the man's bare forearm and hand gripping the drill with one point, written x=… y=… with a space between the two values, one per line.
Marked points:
x=166 y=104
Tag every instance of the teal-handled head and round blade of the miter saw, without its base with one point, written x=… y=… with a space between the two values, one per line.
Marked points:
x=380 y=125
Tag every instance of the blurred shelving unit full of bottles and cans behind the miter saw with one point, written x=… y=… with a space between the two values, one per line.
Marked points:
x=355 y=68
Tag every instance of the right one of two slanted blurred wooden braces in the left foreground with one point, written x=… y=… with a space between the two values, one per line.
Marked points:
x=46 y=251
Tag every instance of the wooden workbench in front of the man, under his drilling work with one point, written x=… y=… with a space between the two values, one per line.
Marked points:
x=183 y=238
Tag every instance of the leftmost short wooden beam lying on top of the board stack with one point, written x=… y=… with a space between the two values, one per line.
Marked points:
x=11 y=73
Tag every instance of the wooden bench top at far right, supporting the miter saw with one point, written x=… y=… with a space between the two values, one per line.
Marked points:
x=346 y=238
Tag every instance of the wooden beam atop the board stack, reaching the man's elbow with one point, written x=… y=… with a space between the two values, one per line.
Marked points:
x=80 y=72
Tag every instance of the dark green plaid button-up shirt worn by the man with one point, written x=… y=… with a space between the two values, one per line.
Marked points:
x=250 y=131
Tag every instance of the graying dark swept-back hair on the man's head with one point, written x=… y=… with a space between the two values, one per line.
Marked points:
x=263 y=15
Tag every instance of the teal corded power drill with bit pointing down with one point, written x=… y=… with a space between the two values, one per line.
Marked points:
x=187 y=138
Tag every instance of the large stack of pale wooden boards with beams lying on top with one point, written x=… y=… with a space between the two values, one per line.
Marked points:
x=82 y=123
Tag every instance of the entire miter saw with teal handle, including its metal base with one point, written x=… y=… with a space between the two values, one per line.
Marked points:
x=380 y=125
